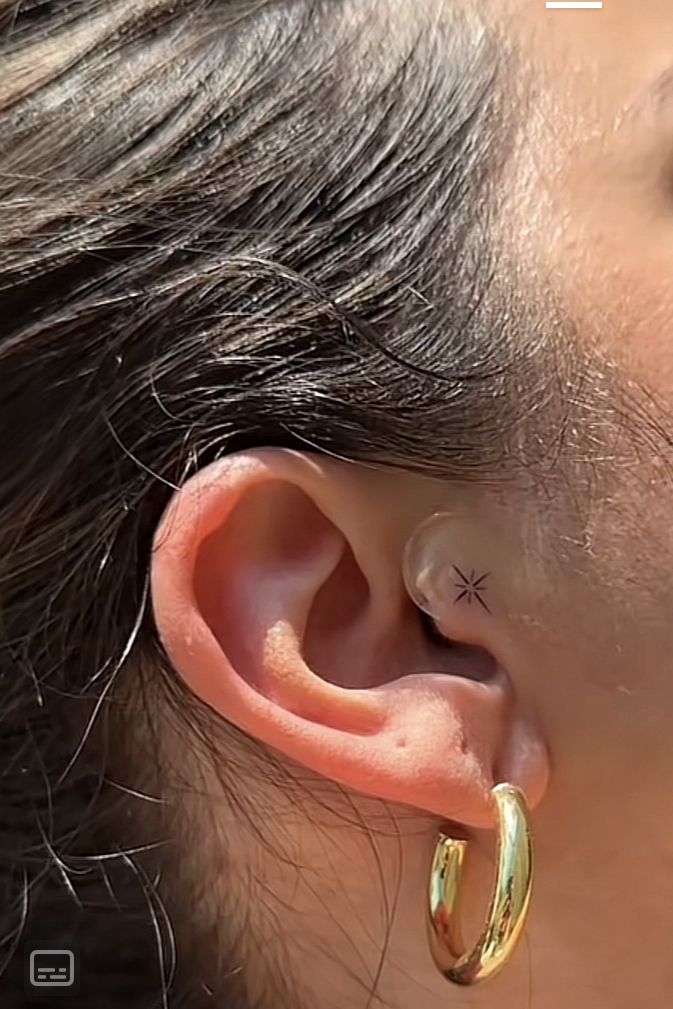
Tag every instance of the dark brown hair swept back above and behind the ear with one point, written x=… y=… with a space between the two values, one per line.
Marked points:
x=222 y=226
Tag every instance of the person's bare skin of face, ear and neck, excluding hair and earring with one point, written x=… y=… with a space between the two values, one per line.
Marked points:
x=258 y=556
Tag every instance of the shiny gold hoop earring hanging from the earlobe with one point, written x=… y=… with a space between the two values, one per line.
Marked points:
x=510 y=904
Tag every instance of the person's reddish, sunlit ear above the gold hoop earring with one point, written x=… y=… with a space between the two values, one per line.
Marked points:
x=279 y=598
